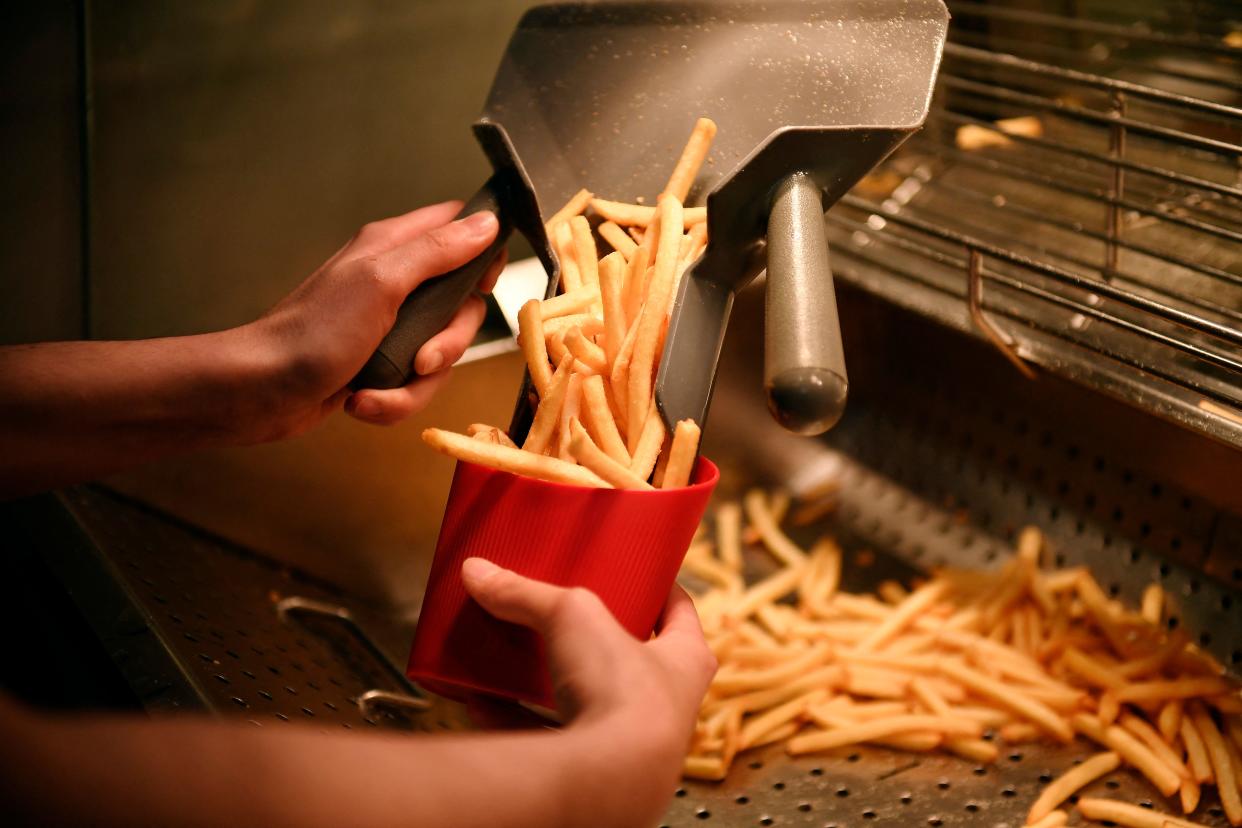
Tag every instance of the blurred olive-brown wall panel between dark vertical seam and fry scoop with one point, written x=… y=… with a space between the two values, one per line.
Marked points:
x=239 y=143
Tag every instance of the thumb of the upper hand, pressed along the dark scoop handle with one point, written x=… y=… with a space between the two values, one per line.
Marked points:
x=438 y=251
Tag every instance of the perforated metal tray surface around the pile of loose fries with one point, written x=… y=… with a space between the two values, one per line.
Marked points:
x=933 y=474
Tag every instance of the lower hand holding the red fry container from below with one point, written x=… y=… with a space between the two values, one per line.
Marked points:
x=640 y=698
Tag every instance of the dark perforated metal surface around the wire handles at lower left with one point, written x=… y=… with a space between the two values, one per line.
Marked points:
x=214 y=608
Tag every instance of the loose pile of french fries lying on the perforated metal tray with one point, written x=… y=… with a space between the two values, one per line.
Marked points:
x=1018 y=655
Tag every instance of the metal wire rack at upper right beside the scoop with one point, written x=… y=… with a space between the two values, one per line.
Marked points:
x=1107 y=249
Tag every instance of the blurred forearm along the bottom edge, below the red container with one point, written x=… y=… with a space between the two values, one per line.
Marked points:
x=203 y=773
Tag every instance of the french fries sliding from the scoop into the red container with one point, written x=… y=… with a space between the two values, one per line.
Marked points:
x=594 y=349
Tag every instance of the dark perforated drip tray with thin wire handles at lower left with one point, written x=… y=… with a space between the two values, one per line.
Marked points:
x=194 y=623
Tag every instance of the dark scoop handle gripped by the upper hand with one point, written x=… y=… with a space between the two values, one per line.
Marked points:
x=433 y=305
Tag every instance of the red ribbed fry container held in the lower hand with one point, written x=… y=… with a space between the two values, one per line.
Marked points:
x=625 y=547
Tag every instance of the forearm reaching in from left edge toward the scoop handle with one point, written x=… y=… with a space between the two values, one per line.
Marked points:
x=75 y=412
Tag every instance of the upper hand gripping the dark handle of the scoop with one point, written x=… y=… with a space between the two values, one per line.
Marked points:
x=329 y=327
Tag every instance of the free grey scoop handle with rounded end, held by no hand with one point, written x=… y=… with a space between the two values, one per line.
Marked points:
x=804 y=361
